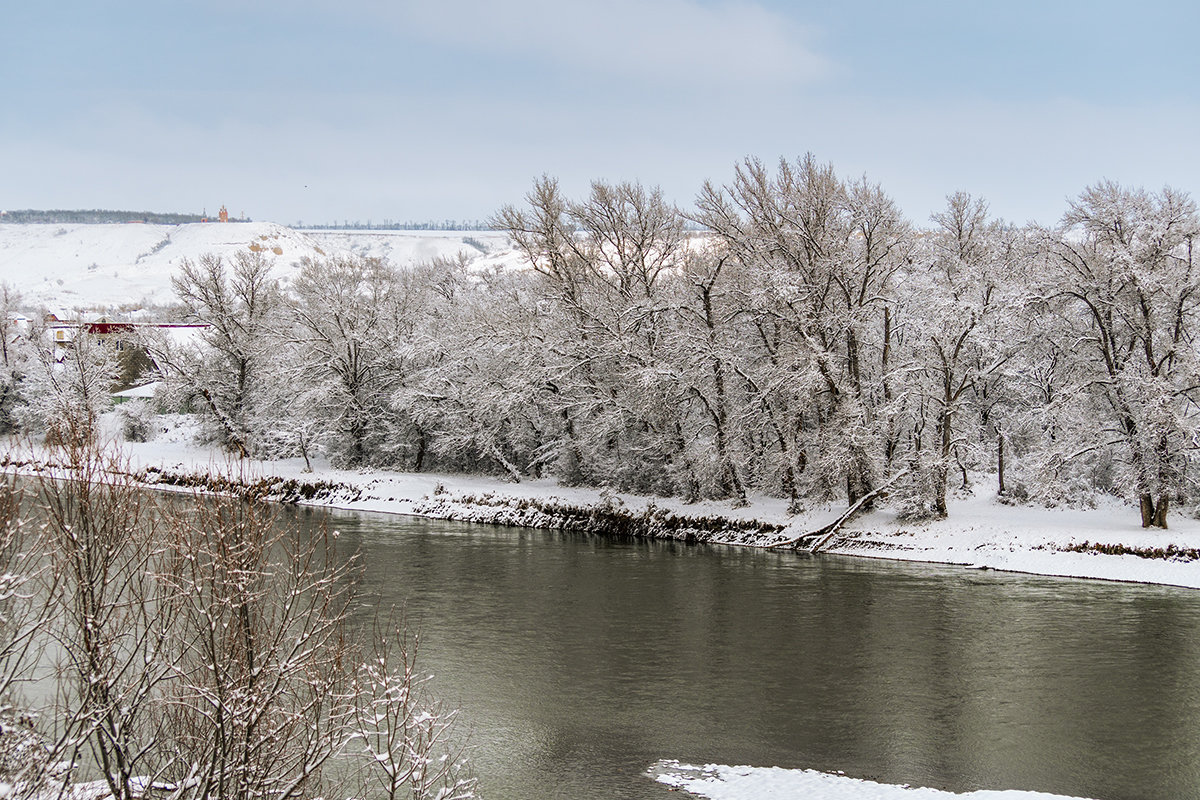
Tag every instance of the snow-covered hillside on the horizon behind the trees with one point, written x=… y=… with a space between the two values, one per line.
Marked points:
x=130 y=266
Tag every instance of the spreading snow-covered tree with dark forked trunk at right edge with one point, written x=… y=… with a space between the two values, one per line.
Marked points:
x=1123 y=275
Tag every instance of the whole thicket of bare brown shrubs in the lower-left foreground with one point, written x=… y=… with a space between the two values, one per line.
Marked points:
x=199 y=648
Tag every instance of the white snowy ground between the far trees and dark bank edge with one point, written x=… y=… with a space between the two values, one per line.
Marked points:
x=980 y=533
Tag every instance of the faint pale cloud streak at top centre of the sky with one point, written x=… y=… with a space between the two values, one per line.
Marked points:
x=653 y=41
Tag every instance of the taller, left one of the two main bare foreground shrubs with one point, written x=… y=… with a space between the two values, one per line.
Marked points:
x=103 y=542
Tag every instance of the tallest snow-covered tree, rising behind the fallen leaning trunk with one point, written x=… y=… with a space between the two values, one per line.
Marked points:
x=824 y=255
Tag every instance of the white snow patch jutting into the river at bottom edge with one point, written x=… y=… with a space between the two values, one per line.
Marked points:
x=777 y=784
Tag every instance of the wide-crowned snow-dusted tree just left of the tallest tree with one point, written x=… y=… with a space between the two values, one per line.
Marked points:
x=605 y=262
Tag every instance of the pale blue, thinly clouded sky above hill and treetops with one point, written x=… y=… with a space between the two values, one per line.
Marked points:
x=321 y=111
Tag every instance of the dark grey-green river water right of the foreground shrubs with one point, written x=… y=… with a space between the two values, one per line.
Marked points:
x=578 y=663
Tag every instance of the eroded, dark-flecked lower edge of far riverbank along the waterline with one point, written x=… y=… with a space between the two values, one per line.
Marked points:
x=608 y=515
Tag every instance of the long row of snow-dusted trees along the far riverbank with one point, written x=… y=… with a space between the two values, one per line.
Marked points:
x=812 y=344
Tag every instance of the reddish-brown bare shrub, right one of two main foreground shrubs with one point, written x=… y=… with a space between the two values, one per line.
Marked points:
x=261 y=661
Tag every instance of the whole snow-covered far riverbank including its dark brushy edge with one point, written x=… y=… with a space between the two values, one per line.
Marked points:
x=980 y=533
